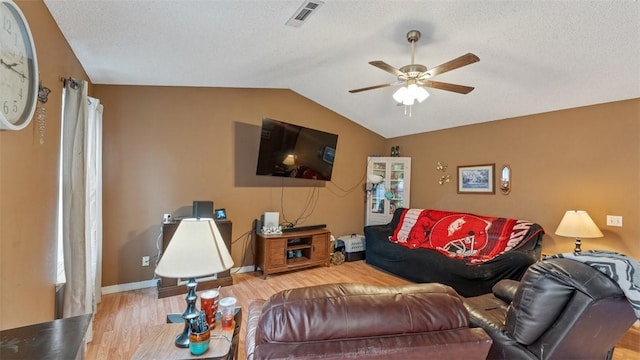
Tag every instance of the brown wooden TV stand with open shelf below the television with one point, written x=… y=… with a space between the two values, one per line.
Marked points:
x=291 y=250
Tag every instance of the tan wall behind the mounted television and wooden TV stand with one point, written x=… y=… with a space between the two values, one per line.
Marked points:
x=167 y=146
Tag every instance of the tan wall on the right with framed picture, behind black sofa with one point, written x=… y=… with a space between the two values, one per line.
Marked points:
x=586 y=158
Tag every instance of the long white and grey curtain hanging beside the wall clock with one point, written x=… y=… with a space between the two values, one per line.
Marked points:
x=81 y=217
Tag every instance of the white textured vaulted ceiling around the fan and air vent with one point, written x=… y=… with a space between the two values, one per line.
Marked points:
x=535 y=56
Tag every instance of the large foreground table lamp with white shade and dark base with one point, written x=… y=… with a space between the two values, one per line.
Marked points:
x=196 y=249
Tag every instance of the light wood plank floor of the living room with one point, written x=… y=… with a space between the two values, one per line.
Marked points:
x=123 y=319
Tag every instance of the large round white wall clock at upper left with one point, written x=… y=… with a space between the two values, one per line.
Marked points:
x=18 y=69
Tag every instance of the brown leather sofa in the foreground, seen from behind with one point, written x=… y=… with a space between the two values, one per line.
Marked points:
x=339 y=321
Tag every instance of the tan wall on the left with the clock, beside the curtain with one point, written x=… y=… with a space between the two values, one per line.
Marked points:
x=28 y=186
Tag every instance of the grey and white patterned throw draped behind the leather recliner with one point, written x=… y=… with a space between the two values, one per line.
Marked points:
x=622 y=269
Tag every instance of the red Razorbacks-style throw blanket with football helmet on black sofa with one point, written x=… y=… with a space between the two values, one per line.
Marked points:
x=473 y=238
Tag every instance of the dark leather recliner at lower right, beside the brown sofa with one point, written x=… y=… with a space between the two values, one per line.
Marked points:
x=561 y=309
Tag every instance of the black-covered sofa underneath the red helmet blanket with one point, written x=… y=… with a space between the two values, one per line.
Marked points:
x=429 y=266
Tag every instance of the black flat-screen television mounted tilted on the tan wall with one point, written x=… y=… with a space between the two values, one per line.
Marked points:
x=295 y=151
